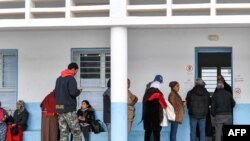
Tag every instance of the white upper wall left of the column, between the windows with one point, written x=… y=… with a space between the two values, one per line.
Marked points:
x=42 y=55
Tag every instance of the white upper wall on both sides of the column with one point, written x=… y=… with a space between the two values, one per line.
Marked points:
x=43 y=54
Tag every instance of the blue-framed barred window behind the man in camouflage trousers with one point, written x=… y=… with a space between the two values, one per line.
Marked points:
x=94 y=72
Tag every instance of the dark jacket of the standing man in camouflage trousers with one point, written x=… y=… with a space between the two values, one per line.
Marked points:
x=65 y=94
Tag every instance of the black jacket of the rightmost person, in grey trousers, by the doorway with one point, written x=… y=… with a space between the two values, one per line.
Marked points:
x=222 y=103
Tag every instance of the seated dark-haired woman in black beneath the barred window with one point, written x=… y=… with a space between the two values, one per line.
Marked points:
x=86 y=115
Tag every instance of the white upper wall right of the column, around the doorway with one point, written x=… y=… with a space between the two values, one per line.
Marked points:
x=170 y=51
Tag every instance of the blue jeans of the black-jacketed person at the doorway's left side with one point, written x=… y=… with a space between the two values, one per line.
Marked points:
x=202 y=129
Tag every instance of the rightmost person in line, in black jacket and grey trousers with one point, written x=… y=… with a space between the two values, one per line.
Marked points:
x=222 y=108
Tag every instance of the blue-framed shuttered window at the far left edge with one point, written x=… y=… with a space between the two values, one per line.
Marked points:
x=8 y=78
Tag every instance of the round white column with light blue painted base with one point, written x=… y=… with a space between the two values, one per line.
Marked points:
x=119 y=110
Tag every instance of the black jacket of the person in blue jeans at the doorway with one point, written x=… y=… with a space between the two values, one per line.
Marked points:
x=198 y=101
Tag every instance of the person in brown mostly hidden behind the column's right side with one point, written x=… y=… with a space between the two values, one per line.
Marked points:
x=132 y=100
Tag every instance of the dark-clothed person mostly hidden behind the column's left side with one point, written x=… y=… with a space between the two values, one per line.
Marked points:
x=107 y=108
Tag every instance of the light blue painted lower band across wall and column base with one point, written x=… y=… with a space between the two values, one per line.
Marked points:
x=119 y=129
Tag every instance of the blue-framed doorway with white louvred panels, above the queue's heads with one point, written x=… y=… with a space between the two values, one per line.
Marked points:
x=211 y=62
